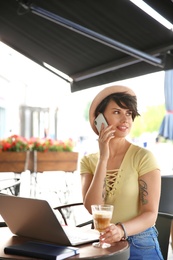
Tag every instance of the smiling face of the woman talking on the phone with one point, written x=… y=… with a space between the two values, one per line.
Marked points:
x=120 y=118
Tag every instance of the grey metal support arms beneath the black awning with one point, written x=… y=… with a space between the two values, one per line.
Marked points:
x=134 y=53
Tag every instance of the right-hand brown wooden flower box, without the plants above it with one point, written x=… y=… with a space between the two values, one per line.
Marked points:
x=54 y=161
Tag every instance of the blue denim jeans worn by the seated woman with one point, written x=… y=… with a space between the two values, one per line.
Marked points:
x=145 y=245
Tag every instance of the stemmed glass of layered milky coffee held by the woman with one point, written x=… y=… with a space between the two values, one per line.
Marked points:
x=102 y=215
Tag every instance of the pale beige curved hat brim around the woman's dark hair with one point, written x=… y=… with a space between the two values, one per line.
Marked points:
x=102 y=95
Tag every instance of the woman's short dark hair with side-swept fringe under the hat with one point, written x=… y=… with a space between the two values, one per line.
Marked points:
x=123 y=100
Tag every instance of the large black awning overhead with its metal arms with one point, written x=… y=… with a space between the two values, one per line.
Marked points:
x=131 y=44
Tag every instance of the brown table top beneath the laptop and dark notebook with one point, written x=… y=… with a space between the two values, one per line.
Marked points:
x=118 y=251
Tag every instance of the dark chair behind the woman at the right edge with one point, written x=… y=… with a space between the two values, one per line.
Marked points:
x=165 y=215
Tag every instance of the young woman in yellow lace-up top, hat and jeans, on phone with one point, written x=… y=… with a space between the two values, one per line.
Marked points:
x=123 y=174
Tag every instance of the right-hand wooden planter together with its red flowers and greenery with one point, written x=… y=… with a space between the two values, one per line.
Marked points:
x=53 y=155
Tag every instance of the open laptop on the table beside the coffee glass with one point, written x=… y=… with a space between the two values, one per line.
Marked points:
x=35 y=219
